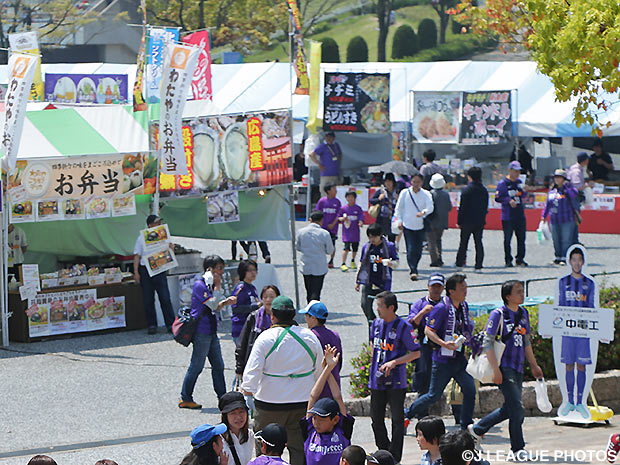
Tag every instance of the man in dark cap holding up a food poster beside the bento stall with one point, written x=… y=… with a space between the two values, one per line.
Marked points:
x=158 y=282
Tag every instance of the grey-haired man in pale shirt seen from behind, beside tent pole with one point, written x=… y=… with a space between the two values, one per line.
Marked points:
x=315 y=244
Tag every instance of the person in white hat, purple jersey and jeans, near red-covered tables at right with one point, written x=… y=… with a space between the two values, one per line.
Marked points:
x=560 y=208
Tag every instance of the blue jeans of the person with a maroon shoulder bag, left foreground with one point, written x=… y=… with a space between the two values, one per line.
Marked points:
x=204 y=345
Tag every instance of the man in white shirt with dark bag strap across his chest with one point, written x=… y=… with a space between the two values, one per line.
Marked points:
x=413 y=205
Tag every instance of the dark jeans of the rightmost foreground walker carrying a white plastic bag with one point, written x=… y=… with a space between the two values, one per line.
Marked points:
x=512 y=409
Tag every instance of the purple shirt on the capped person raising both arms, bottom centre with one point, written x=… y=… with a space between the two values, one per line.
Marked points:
x=326 y=448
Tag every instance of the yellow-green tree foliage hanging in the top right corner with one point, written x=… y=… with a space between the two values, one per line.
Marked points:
x=576 y=44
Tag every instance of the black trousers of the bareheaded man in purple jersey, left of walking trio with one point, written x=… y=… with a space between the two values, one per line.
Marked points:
x=378 y=402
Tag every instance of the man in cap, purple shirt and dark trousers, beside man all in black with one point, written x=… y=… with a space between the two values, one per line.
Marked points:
x=510 y=194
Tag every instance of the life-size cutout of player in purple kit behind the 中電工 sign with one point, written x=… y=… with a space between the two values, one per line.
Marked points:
x=576 y=290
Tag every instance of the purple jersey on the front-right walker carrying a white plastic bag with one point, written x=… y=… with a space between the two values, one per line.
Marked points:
x=514 y=353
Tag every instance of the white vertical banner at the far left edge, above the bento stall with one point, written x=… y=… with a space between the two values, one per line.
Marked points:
x=22 y=69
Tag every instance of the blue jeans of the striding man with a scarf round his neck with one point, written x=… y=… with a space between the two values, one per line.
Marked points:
x=441 y=373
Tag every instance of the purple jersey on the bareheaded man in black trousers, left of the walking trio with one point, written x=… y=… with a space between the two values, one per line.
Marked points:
x=390 y=341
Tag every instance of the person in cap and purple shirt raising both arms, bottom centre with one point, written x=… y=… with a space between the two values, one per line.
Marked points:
x=327 y=428
